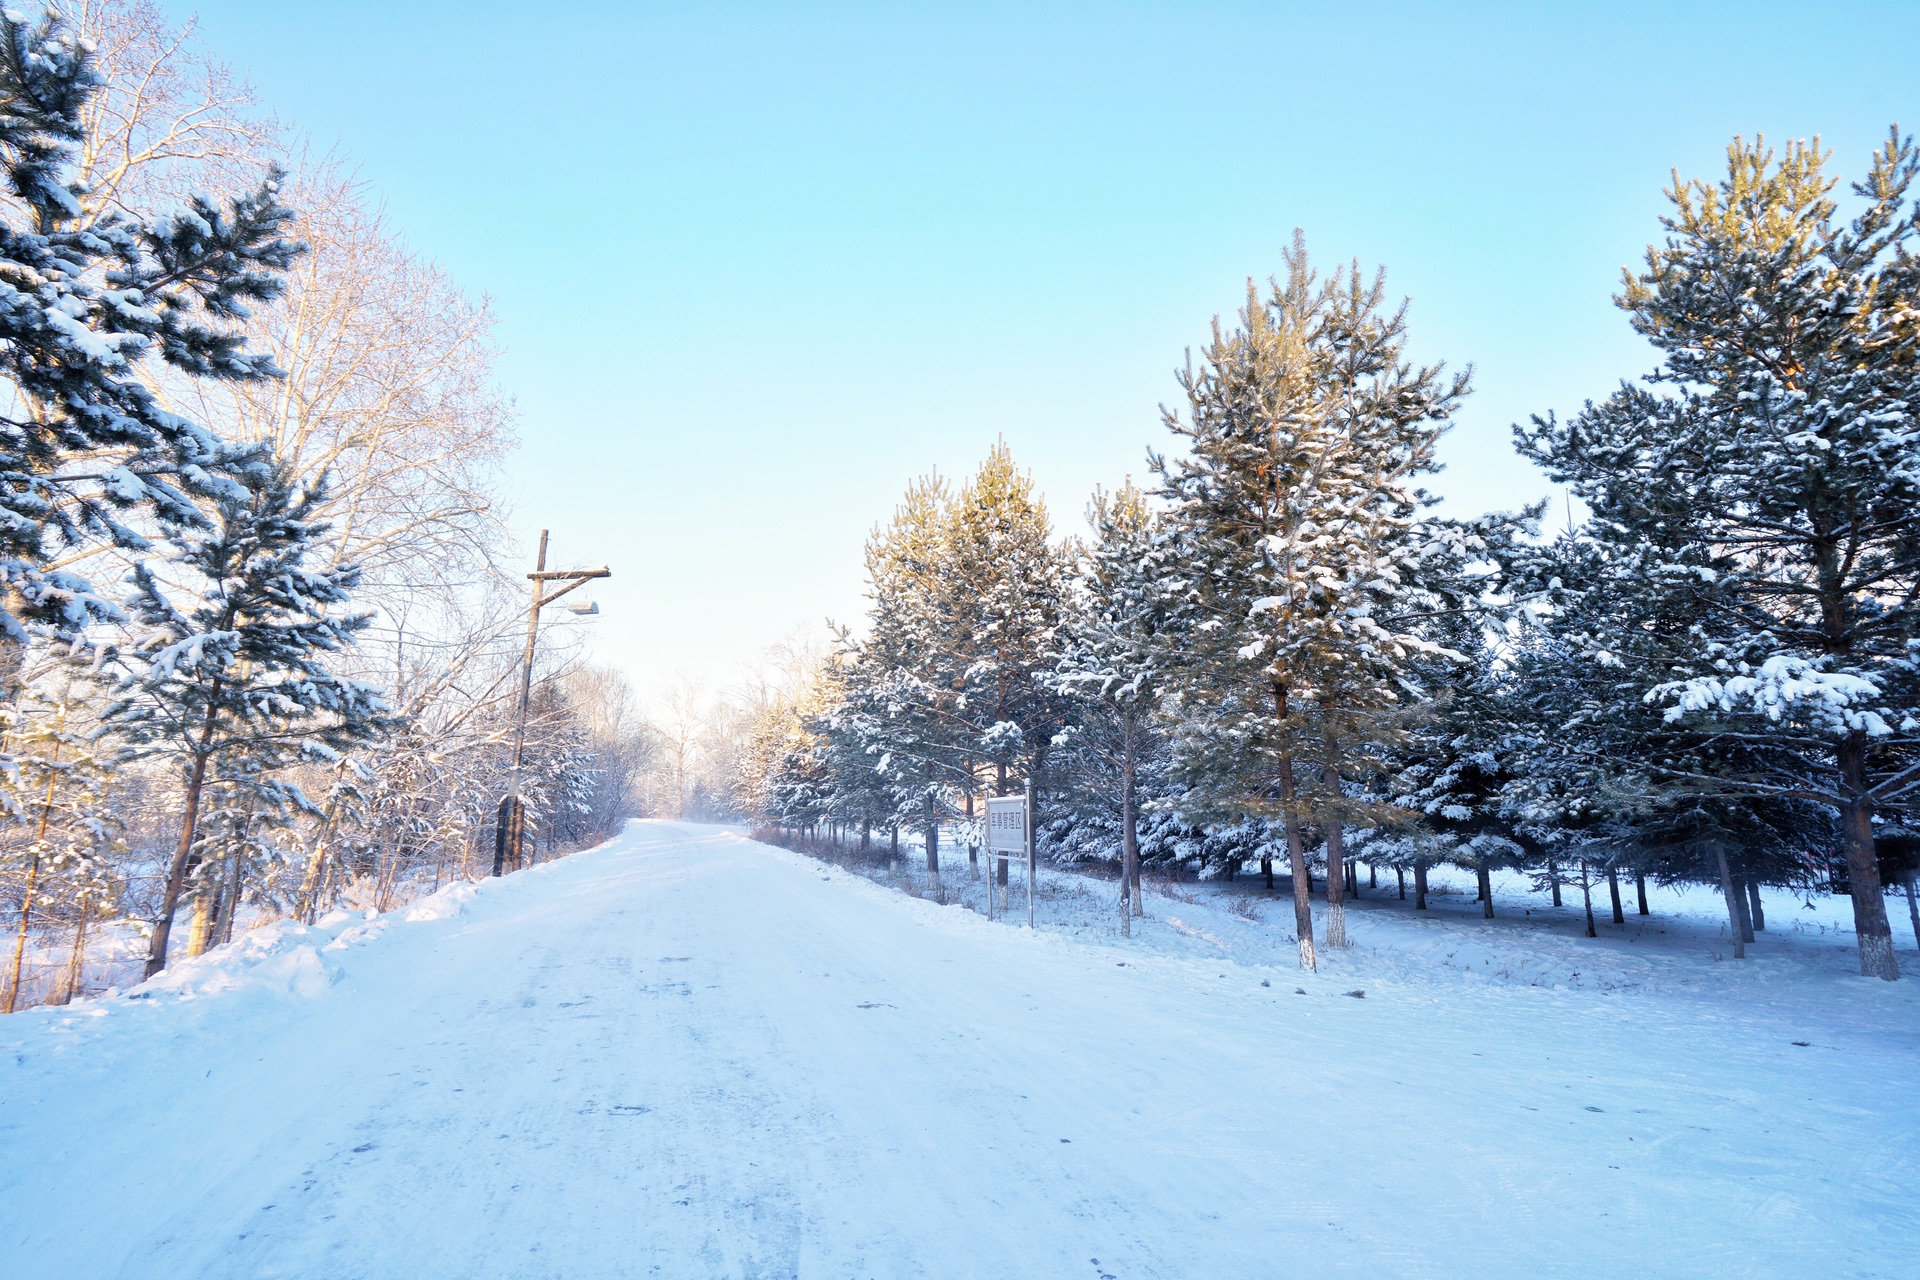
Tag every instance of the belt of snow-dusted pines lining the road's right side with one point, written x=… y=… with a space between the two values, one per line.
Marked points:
x=1280 y=655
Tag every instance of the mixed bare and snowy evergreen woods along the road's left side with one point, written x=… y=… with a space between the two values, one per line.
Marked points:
x=262 y=632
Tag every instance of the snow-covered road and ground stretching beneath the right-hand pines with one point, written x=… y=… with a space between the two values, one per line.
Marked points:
x=686 y=1055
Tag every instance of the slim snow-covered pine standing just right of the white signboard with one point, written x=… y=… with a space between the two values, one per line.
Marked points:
x=1111 y=661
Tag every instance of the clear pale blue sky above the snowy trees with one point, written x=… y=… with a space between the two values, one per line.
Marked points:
x=757 y=266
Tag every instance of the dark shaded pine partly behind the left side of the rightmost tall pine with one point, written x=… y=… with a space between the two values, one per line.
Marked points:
x=1600 y=776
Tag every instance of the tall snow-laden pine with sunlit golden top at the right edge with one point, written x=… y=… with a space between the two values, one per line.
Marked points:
x=1783 y=414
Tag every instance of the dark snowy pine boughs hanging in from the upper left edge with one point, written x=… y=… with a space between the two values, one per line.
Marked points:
x=93 y=300
